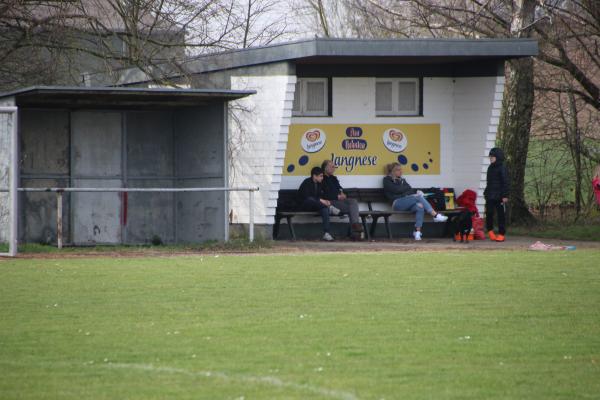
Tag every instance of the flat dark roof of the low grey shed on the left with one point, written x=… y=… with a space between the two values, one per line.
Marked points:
x=118 y=97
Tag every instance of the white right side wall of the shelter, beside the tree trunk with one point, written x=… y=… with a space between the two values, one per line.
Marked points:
x=477 y=106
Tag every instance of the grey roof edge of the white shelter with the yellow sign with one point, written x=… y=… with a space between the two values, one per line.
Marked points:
x=354 y=51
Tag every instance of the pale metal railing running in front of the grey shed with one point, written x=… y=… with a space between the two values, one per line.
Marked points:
x=59 y=204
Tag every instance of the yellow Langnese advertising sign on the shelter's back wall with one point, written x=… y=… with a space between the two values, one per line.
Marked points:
x=363 y=149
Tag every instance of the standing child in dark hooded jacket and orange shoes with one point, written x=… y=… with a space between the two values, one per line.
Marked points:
x=496 y=194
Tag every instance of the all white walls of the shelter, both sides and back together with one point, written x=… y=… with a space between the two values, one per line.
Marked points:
x=467 y=109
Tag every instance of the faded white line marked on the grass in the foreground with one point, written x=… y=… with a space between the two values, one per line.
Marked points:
x=265 y=380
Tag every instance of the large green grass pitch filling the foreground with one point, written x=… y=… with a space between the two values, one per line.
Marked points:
x=440 y=325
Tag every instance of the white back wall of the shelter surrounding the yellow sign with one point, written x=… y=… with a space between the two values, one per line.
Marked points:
x=354 y=104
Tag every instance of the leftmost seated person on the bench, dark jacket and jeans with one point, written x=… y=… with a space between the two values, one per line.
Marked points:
x=311 y=198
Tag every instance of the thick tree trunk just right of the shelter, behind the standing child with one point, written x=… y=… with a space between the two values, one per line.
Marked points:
x=517 y=108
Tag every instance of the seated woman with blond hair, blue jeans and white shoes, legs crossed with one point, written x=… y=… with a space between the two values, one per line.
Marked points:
x=405 y=198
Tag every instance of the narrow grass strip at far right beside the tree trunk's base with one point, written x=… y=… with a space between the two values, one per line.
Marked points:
x=555 y=230
